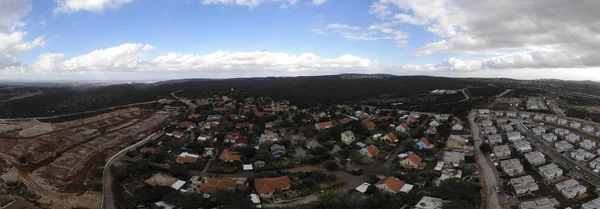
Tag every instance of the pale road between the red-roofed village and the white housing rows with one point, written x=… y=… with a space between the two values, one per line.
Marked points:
x=486 y=172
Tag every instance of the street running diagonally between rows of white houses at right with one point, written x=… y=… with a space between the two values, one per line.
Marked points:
x=559 y=158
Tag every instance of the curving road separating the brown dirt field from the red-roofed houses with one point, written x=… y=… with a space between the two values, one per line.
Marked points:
x=108 y=201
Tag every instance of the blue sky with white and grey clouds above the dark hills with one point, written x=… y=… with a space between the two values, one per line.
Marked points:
x=43 y=40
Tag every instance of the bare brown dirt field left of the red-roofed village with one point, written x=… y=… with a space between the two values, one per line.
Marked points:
x=56 y=160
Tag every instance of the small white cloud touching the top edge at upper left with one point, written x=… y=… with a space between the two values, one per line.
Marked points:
x=69 y=6
